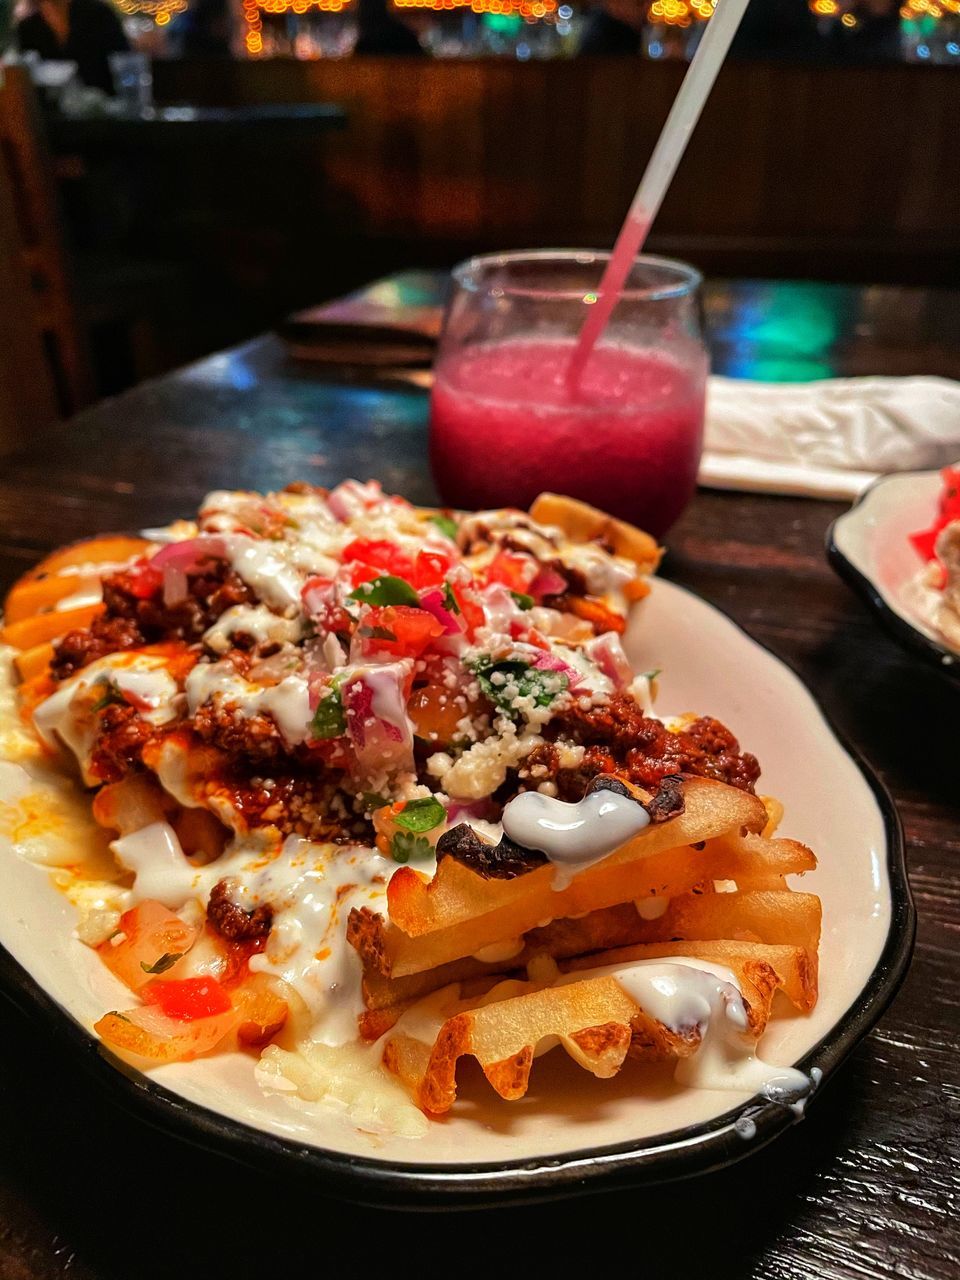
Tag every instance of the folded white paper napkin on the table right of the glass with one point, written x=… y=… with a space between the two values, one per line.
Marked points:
x=828 y=440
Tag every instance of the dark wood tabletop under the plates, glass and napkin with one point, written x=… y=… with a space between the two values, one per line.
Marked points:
x=865 y=1187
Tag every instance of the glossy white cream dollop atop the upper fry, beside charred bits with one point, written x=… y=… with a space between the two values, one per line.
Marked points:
x=574 y=836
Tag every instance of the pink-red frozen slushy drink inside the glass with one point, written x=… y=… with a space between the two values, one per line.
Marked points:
x=506 y=424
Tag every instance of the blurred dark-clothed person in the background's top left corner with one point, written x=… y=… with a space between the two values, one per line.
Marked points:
x=76 y=31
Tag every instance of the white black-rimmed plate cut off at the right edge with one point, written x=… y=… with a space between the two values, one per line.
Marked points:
x=870 y=547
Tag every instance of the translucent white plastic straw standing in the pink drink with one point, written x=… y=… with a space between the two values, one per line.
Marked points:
x=653 y=188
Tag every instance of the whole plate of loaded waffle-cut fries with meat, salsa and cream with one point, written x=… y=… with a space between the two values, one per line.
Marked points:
x=441 y=857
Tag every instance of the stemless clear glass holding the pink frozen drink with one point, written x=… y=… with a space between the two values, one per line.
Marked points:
x=506 y=422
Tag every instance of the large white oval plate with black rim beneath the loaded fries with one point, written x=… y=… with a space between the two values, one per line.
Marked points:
x=572 y=1131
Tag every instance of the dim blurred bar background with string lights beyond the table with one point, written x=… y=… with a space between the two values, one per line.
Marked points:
x=228 y=162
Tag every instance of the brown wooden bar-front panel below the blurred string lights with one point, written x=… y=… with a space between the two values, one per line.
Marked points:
x=495 y=153
